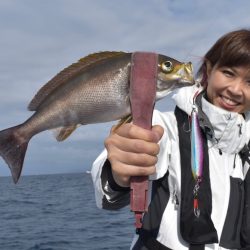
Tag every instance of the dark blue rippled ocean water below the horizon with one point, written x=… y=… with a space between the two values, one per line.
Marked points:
x=58 y=212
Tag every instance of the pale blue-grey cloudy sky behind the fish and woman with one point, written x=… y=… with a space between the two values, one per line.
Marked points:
x=38 y=38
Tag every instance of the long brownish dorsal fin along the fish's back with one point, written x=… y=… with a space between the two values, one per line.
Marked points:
x=68 y=73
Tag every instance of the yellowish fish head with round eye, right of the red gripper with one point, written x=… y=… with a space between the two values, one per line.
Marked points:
x=172 y=74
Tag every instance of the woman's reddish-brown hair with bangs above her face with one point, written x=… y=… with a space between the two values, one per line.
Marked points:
x=231 y=50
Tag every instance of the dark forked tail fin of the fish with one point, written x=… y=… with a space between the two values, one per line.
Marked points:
x=12 y=149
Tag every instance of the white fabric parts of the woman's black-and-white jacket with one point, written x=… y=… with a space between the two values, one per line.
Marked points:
x=232 y=132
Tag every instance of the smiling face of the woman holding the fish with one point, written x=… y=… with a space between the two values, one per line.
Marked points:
x=229 y=88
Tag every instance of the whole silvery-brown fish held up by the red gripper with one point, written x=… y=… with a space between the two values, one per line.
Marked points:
x=95 y=89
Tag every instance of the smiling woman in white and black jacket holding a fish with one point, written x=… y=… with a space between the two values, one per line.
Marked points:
x=191 y=207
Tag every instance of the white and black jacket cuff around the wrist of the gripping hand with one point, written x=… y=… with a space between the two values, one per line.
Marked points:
x=109 y=195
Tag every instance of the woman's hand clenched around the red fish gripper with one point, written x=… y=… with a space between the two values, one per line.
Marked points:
x=132 y=151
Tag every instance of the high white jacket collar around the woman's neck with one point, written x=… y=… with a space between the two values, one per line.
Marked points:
x=227 y=131
